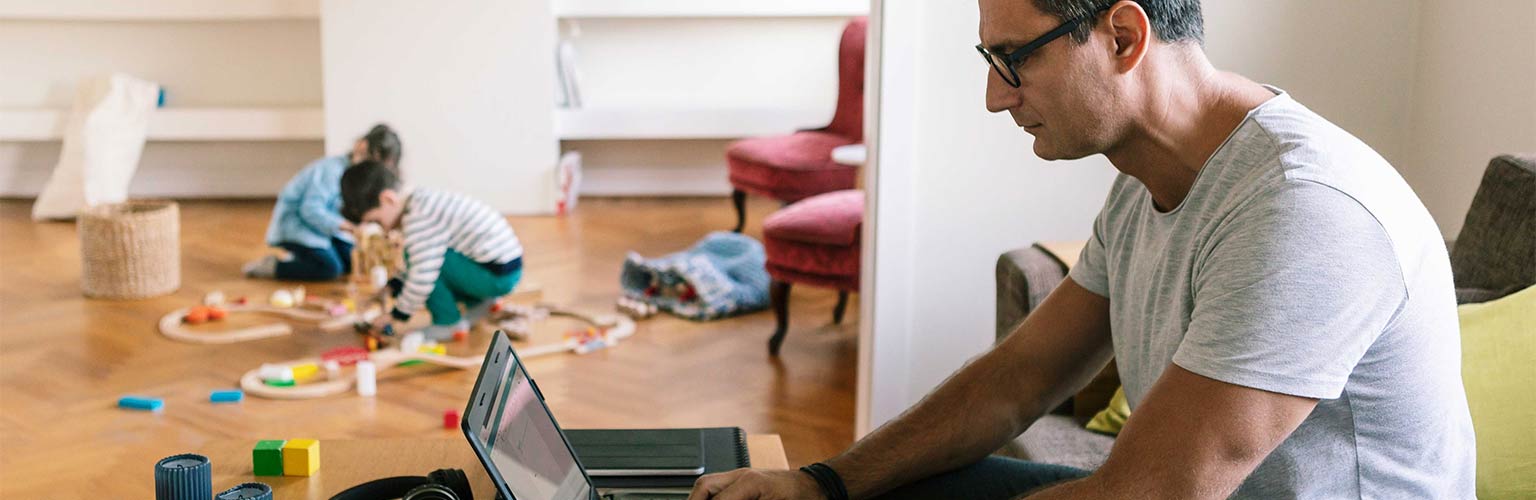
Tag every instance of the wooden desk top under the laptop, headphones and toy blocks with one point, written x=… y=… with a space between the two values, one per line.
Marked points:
x=348 y=462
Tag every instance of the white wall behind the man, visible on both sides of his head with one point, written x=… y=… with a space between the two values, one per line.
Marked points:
x=958 y=186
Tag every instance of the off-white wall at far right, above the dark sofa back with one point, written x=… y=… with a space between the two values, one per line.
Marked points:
x=1475 y=99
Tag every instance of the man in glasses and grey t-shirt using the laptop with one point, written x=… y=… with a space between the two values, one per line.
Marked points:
x=1277 y=300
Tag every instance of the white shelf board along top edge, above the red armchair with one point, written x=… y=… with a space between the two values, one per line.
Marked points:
x=710 y=8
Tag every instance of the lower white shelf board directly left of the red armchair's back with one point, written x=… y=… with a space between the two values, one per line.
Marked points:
x=720 y=123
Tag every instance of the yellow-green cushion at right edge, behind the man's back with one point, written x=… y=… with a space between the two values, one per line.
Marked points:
x=1498 y=369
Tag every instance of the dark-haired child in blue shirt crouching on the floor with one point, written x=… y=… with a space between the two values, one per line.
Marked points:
x=306 y=220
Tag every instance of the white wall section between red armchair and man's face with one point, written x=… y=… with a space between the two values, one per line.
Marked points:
x=953 y=188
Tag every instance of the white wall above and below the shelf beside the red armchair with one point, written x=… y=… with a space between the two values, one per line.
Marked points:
x=697 y=64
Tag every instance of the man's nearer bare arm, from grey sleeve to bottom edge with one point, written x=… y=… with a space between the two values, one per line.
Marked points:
x=1191 y=438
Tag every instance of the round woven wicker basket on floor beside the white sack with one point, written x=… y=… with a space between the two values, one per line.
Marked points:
x=131 y=251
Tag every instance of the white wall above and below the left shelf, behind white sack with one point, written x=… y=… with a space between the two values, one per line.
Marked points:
x=208 y=64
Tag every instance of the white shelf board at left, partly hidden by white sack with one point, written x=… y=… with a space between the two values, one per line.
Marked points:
x=184 y=125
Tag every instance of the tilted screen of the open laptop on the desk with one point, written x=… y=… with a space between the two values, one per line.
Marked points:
x=526 y=447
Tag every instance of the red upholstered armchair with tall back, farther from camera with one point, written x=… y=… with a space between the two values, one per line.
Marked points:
x=798 y=166
